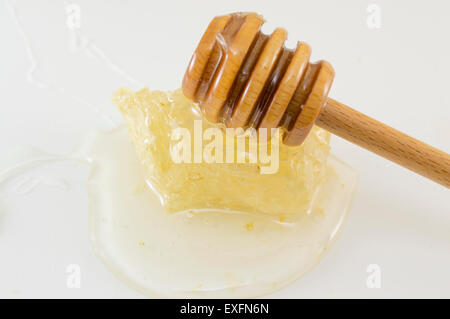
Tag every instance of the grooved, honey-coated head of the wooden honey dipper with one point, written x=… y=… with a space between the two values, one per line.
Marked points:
x=242 y=77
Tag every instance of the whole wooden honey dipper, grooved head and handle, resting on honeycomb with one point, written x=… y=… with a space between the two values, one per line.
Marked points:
x=244 y=78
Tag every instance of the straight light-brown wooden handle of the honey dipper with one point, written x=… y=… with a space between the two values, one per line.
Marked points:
x=385 y=141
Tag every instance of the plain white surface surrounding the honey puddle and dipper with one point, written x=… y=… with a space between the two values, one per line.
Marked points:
x=397 y=74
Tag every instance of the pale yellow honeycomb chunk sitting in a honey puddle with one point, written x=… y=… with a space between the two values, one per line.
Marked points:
x=152 y=116
